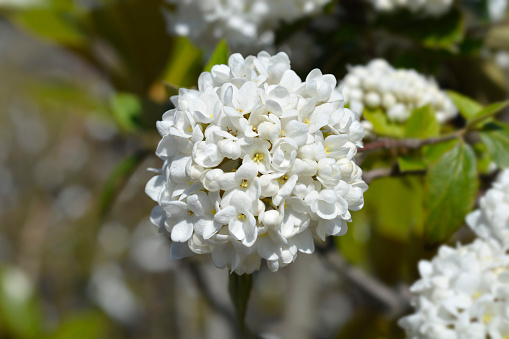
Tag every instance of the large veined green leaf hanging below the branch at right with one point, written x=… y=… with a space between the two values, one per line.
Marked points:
x=451 y=190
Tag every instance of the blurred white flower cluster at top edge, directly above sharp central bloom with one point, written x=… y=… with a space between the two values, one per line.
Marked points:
x=247 y=25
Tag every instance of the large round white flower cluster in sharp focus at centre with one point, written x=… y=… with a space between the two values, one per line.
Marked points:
x=256 y=162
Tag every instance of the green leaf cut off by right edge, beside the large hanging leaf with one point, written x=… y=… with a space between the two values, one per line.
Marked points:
x=495 y=137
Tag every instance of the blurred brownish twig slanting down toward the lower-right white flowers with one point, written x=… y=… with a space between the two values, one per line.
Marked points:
x=395 y=303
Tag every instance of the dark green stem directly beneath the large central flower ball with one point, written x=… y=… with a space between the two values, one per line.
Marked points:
x=239 y=287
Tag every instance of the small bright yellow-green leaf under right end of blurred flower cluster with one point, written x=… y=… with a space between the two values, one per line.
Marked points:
x=422 y=124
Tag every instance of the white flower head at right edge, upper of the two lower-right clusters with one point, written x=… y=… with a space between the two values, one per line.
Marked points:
x=491 y=220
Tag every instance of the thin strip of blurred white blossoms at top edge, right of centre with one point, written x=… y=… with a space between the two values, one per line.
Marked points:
x=426 y=7
